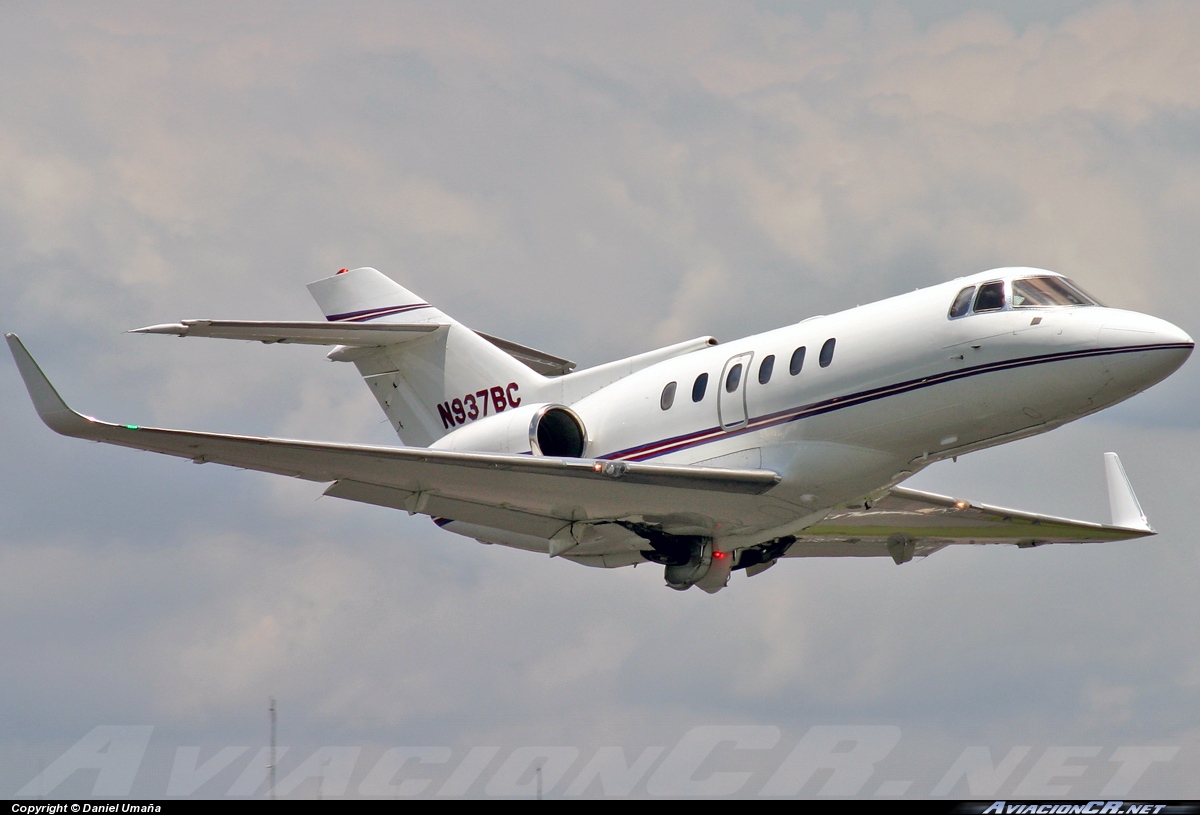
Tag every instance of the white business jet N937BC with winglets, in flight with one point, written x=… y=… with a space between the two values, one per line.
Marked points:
x=706 y=459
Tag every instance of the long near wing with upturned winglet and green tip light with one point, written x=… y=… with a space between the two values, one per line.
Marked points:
x=531 y=495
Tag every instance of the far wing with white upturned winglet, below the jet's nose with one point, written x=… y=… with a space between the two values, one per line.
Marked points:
x=909 y=523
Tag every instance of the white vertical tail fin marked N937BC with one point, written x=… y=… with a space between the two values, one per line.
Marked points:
x=431 y=386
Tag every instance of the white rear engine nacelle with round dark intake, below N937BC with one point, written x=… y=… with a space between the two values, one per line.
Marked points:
x=544 y=430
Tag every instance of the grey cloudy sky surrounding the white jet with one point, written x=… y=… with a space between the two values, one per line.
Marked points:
x=592 y=179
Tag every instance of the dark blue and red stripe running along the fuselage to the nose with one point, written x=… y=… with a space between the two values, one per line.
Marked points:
x=645 y=452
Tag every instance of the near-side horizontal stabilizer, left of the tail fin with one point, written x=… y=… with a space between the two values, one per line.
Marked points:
x=299 y=333
